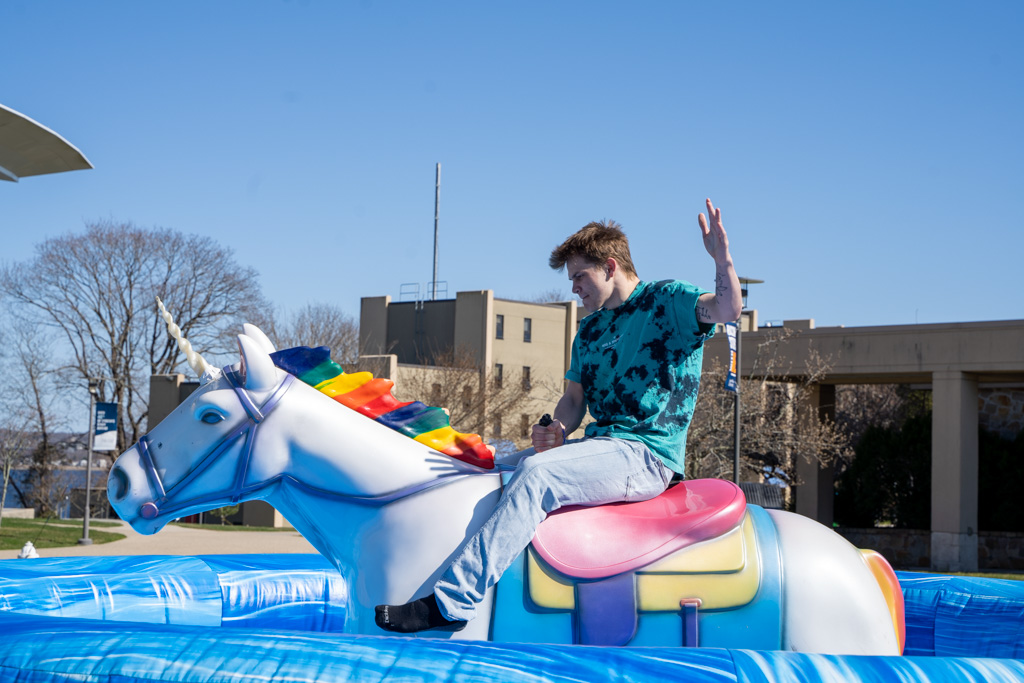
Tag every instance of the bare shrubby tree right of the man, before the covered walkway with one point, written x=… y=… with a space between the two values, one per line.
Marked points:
x=778 y=426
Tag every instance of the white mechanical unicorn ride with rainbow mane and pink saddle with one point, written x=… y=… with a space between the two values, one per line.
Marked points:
x=389 y=492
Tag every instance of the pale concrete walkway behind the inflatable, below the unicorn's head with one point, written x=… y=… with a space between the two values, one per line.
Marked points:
x=181 y=541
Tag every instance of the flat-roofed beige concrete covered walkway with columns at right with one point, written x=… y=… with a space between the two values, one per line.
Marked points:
x=955 y=360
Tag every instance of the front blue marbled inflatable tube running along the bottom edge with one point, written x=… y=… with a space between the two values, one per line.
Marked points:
x=109 y=653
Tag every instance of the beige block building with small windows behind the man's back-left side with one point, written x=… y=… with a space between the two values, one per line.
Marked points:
x=515 y=345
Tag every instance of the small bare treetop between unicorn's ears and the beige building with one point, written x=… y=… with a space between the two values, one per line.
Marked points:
x=321 y=325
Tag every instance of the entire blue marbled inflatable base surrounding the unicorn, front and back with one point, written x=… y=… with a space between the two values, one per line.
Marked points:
x=276 y=619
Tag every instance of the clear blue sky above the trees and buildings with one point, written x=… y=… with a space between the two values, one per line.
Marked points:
x=869 y=156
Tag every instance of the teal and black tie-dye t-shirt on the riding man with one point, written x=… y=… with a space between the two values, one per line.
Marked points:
x=639 y=365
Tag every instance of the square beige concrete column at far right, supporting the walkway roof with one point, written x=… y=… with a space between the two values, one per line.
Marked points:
x=955 y=472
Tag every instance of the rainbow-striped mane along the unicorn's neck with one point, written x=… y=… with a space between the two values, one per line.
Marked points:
x=372 y=397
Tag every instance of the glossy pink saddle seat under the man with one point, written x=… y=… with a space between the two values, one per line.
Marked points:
x=604 y=541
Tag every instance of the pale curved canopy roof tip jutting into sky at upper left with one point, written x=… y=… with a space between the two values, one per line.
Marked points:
x=28 y=149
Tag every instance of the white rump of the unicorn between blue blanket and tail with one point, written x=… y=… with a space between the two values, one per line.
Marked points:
x=832 y=601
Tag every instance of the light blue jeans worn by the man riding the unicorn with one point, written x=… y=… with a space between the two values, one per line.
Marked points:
x=590 y=472
